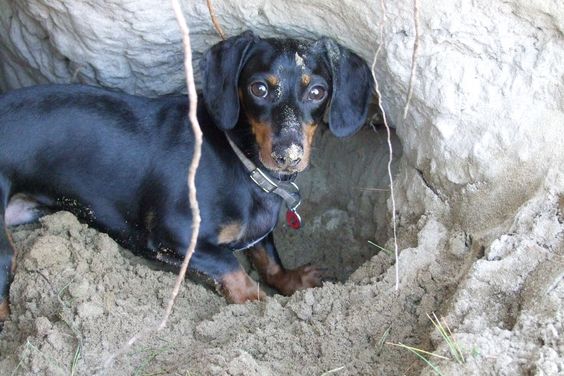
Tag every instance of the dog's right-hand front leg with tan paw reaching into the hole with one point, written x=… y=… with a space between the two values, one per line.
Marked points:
x=265 y=258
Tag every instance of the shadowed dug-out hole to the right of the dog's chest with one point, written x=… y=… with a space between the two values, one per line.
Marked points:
x=344 y=194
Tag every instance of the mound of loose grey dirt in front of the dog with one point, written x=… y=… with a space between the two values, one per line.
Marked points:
x=76 y=298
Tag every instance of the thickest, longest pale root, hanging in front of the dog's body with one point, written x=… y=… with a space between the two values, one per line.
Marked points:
x=196 y=219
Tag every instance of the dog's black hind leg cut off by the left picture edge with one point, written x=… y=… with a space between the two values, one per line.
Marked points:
x=7 y=256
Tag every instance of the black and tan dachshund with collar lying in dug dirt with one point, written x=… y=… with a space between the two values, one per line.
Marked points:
x=125 y=158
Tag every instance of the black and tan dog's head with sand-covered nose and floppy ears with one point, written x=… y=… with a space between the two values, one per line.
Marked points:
x=283 y=88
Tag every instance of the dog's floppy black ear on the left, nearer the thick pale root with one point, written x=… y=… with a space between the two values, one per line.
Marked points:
x=220 y=67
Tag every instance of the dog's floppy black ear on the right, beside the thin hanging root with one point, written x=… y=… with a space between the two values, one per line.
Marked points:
x=352 y=88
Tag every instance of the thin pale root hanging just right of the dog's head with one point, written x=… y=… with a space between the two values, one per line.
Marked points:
x=392 y=194
